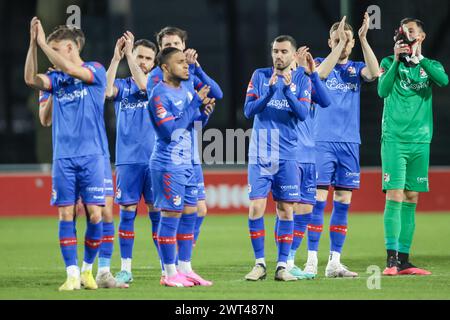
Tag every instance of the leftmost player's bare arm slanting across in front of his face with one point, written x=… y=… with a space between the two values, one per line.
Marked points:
x=75 y=70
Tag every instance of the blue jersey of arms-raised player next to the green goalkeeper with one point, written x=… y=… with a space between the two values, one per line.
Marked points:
x=341 y=122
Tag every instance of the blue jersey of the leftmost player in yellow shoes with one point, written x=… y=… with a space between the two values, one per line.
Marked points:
x=78 y=109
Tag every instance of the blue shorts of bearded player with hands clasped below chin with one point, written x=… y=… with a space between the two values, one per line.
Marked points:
x=266 y=177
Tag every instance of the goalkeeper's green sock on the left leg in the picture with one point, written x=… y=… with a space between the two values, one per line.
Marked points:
x=392 y=224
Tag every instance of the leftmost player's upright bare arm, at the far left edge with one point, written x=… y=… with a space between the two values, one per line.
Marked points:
x=32 y=78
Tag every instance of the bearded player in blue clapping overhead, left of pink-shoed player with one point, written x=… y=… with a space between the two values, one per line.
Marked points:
x=135 y=138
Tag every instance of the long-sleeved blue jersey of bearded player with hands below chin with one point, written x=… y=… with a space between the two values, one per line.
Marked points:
x=278 y=112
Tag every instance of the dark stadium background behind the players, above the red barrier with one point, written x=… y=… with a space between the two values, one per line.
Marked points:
x=232 y=38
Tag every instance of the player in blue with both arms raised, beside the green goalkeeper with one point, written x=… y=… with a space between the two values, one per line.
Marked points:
x=338 y=140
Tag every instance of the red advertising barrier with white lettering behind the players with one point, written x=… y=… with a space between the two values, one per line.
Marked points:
x=29 y=194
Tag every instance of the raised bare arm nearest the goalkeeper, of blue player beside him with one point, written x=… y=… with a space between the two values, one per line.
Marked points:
x=372 y=70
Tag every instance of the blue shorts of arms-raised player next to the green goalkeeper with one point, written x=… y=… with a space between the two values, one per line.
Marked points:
x=338 y=164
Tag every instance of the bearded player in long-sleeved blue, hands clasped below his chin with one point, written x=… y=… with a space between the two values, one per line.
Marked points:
x=278 y=100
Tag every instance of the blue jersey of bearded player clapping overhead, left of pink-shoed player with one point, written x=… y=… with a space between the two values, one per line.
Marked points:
x=135 y=134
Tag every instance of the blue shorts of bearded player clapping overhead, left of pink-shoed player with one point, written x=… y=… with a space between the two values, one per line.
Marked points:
x=133 y=182
